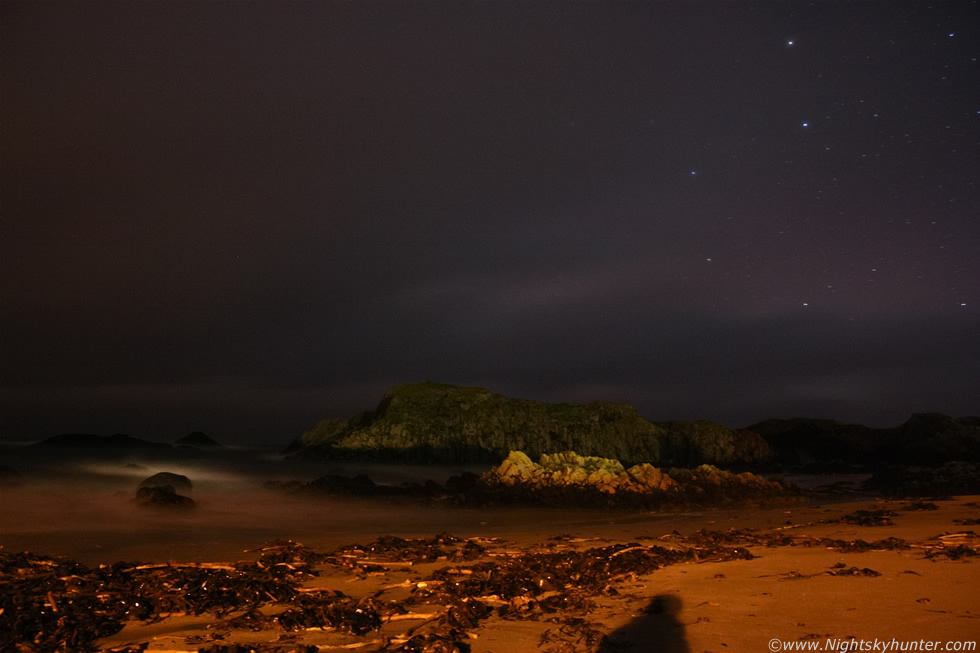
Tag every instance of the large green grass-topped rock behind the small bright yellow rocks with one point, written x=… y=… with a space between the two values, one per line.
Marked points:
x=433 y=422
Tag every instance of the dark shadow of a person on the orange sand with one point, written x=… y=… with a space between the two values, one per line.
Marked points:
x=657 y=630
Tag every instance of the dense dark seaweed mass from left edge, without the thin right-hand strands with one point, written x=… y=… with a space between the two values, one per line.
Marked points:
x=55 y=604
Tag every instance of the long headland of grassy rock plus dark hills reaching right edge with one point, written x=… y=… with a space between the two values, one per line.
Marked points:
x=436 y=422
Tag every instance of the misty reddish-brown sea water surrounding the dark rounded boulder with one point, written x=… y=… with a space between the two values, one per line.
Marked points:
x=86 y=510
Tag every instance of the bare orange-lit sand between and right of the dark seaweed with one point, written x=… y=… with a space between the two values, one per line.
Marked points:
x=785 y=593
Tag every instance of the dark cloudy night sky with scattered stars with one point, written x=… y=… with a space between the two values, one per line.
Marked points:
x=242 y=217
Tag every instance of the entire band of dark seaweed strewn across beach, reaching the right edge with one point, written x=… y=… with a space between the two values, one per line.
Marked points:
x=430 y=595
